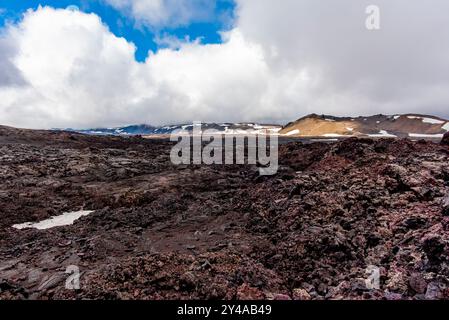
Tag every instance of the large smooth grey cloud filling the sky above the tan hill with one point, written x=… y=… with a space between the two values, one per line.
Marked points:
x=395 y=68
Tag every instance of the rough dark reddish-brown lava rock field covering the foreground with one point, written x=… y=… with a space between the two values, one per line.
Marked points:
x=161 y=231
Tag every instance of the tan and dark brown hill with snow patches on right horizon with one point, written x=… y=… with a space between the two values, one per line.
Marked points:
x=407 y=125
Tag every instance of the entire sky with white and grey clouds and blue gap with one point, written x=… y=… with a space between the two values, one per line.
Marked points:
x=107 y=63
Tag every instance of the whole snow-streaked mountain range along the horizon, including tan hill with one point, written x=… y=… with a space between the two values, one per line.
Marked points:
x=313 y=125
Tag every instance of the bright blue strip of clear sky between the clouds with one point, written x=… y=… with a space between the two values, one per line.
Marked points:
x=122 y=25
